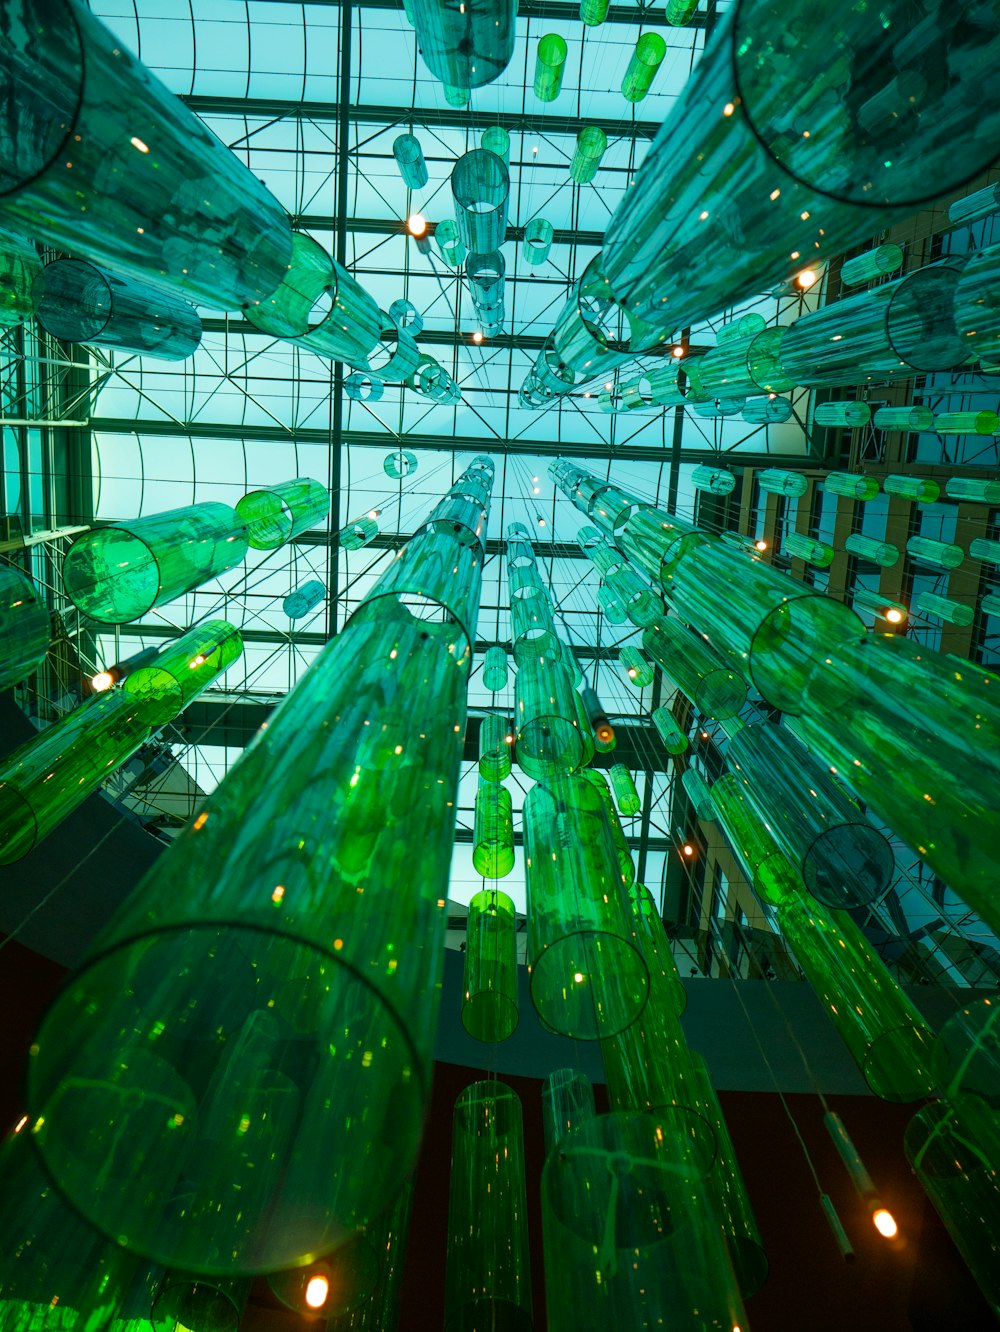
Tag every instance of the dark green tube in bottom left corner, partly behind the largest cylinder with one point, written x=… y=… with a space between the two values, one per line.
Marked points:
x=50 y=1259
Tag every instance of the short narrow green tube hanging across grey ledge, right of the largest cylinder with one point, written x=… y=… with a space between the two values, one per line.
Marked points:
x=491 y=1008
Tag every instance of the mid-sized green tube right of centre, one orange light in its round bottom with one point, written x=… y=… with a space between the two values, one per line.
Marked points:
x=588 y=978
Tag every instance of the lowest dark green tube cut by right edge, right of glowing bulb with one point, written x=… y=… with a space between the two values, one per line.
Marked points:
x=954 y=1153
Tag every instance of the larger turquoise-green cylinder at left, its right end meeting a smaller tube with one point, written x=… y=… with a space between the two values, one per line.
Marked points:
x=121 y=572
